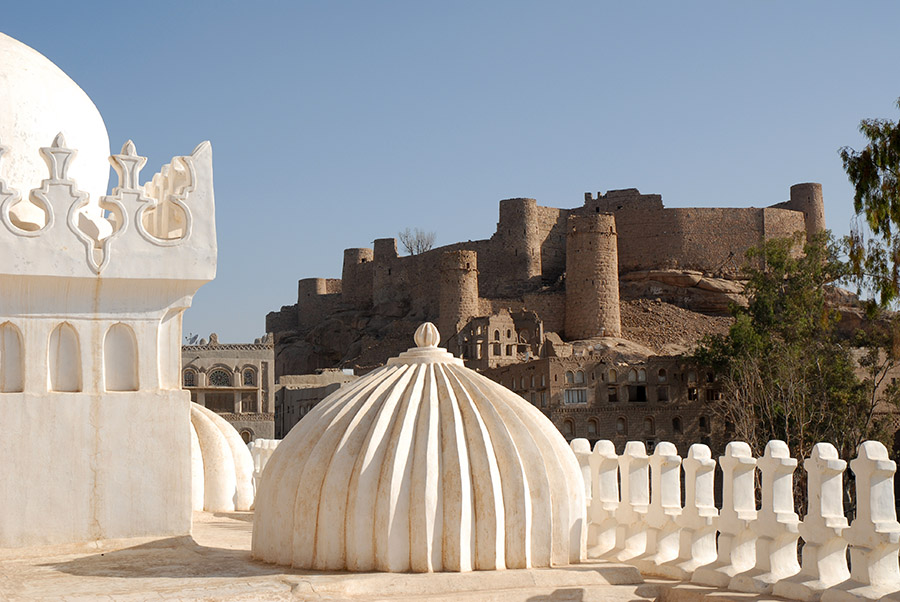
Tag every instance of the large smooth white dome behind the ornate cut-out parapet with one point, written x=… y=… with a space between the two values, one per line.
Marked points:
x=38 y=101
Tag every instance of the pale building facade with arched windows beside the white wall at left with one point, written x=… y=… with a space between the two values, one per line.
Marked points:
x=235 y=380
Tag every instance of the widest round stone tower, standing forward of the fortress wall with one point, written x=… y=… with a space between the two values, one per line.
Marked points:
x=592 y=277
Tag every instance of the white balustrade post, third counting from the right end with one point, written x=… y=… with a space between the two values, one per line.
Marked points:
x=776 y=526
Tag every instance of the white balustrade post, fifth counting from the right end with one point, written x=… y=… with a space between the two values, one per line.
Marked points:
x=697 y=540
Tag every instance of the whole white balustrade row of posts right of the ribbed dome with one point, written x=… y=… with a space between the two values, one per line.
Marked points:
x=743 y=548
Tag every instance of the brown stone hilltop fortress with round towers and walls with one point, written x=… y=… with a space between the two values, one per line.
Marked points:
x=545 y=270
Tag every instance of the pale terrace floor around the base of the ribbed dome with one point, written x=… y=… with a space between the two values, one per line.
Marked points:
x=216 y=565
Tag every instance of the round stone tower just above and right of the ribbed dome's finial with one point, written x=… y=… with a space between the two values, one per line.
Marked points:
x=459 y=290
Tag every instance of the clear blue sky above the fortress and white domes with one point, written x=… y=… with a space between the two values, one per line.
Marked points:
x=335 y=123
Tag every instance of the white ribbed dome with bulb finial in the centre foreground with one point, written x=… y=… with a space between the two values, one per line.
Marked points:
x=421 y=465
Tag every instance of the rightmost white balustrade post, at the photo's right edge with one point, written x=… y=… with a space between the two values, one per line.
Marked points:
x=874 y=535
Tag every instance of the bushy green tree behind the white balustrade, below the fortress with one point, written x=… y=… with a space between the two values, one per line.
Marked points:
x=786 y=372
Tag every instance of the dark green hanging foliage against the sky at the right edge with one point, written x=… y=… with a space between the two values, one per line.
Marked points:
x=874 y=245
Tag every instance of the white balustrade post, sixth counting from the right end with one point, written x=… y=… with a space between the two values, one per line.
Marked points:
x=665 y=506
